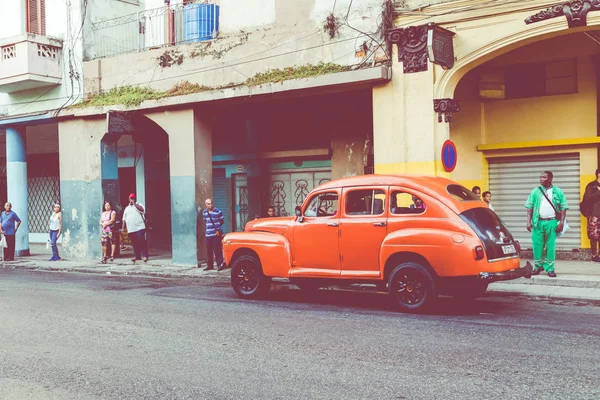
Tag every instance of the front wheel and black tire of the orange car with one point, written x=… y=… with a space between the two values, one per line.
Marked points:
x=247 y=278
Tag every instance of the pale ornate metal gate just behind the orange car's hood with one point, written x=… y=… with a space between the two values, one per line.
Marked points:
x=289 y=189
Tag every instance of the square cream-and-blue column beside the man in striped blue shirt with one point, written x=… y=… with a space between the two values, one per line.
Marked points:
x=190 y=149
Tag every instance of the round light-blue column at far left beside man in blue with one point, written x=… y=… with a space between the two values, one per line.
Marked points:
x=16 y=184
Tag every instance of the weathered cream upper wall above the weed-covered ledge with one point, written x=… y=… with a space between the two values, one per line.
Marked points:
x=254 y=36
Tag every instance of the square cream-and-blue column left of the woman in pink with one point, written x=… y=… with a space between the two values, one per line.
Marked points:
x=81 y=150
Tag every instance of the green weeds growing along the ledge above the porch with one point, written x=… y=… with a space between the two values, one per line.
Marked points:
x=133 y=96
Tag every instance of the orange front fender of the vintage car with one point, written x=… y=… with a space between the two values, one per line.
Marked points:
x=273 y=250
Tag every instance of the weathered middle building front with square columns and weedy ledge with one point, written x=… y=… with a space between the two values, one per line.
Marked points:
x=252 y=103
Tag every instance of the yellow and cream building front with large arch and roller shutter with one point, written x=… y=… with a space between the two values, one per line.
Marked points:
x=521 y=97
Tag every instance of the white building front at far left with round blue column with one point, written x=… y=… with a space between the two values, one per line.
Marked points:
x=40 y=73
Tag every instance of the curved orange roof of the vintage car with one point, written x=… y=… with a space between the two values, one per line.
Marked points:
x=435 y=186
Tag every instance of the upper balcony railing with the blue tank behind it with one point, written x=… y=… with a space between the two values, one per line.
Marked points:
x=164 y=26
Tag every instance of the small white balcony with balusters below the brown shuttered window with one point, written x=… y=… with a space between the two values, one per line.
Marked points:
x=29 y=62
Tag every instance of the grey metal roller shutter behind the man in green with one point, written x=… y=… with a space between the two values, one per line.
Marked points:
x=511 y=181
